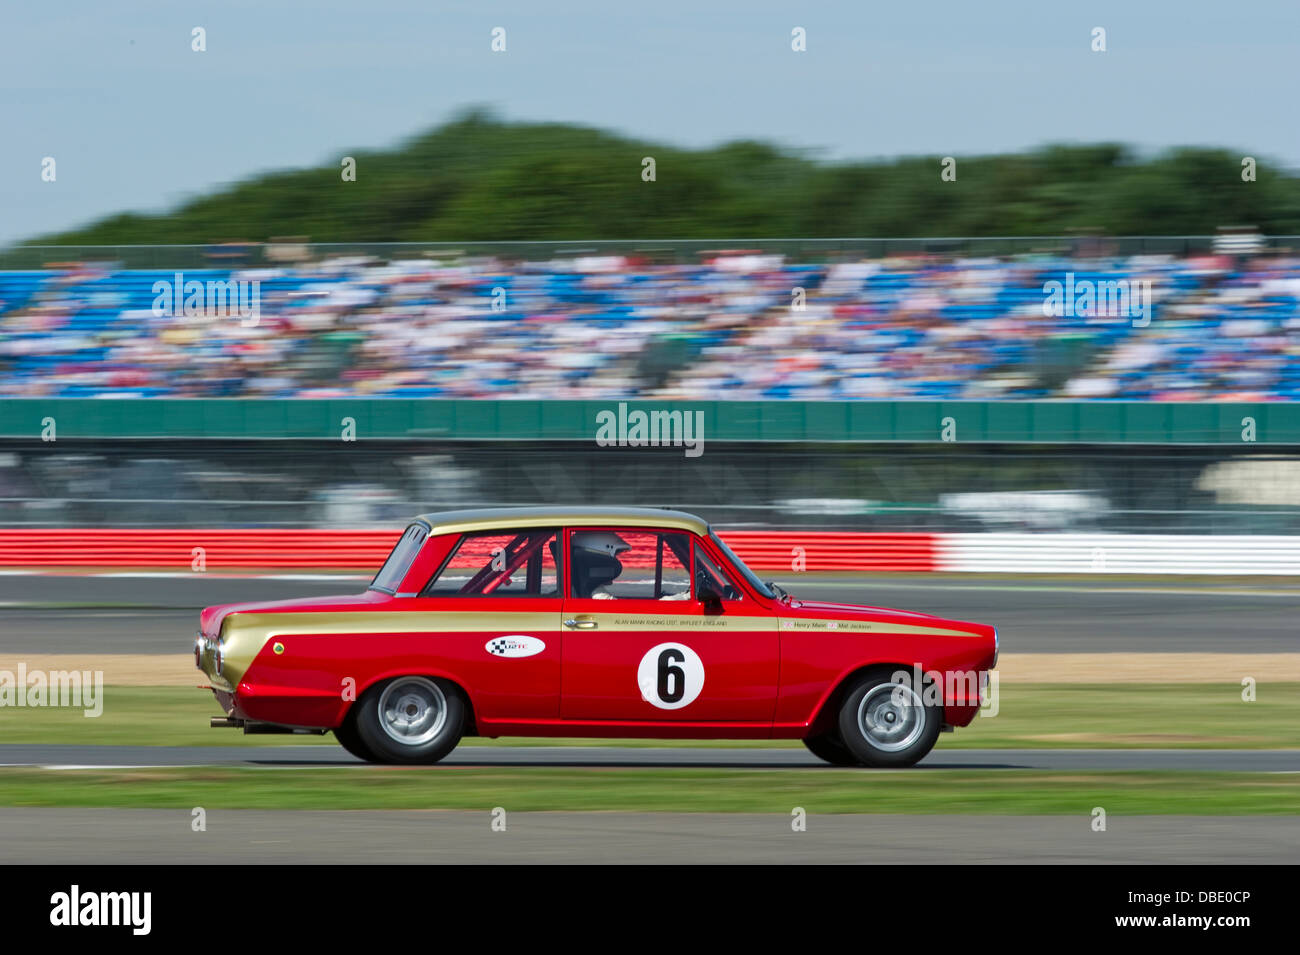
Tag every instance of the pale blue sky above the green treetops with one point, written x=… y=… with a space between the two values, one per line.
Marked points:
x=137 y=121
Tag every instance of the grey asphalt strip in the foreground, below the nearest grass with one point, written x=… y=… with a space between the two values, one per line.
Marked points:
x=252 y=837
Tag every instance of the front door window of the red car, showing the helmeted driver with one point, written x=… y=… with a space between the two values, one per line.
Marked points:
x=630 y=565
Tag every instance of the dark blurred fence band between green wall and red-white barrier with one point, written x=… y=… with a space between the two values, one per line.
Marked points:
x=903 y=488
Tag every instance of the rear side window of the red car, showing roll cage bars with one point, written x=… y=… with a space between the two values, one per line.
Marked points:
x=502 y=563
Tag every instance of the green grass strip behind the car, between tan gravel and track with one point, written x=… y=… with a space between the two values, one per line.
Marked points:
x=1034 y=717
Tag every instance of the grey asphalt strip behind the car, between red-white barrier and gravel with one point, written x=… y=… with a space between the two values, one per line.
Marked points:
x=159 y=615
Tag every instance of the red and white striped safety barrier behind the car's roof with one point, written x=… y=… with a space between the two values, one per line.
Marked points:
x=216 y=552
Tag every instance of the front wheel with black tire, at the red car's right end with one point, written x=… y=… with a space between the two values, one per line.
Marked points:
x=887 y=723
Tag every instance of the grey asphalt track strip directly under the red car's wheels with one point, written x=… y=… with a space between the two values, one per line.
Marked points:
x=610 y=757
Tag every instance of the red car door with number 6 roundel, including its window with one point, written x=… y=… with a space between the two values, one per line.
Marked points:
x=642 y=646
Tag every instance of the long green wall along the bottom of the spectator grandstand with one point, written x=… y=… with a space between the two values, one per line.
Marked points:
x=34 y=423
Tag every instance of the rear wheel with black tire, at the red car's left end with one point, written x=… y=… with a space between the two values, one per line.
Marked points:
x=400 y=722
